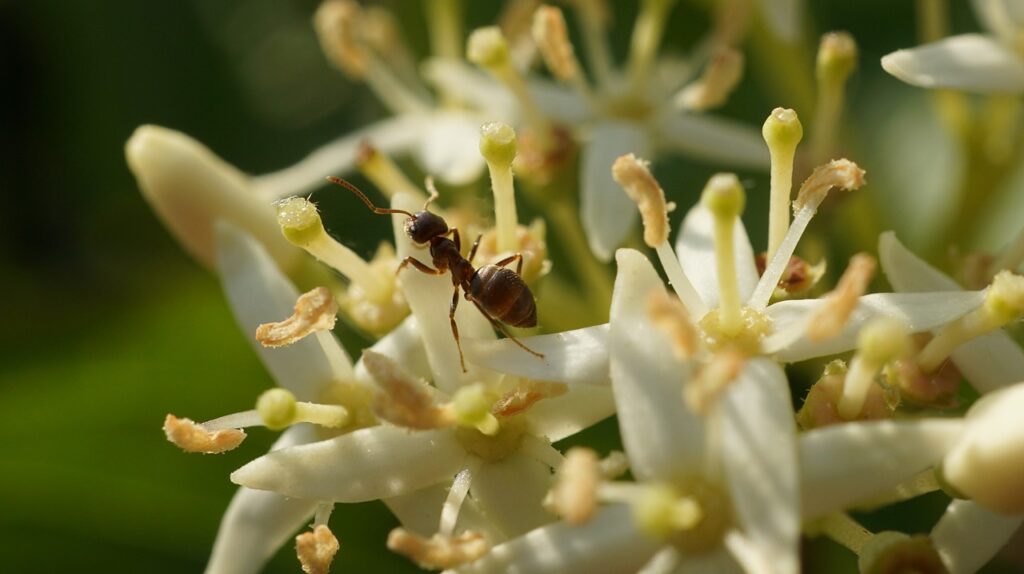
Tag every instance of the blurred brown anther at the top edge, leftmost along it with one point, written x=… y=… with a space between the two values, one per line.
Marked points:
x=337 y=24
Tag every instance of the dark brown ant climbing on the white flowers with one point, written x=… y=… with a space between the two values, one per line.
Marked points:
x=497 y=291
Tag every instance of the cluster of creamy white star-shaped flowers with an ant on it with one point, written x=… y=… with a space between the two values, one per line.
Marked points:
x=450 y=418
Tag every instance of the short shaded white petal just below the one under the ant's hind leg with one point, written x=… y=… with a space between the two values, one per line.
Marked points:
x=563 y=417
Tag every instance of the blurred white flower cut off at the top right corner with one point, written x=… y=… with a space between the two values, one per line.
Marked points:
x=989 y=64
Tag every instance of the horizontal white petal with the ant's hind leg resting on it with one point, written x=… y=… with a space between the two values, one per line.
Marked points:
x=574 y=358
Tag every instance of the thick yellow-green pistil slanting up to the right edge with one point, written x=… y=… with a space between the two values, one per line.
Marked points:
x=1004 y=303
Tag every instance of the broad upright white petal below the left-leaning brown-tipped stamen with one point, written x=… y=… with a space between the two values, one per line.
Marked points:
x=663 y=438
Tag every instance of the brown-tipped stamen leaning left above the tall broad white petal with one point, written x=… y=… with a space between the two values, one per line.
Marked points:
x=634 y=176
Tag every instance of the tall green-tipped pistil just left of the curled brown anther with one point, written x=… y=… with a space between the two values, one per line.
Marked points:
x=783 y=133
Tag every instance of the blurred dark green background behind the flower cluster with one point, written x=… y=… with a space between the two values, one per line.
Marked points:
x=109 y=326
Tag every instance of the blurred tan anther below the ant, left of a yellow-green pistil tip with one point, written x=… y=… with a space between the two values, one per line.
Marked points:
x=404 y=401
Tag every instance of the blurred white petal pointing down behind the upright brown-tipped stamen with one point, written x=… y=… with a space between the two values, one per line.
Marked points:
x=609 y=214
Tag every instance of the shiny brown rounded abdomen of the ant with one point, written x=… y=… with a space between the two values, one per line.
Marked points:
x=504 y=295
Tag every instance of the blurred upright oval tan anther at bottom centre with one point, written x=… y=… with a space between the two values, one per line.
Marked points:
x=575 y=494
